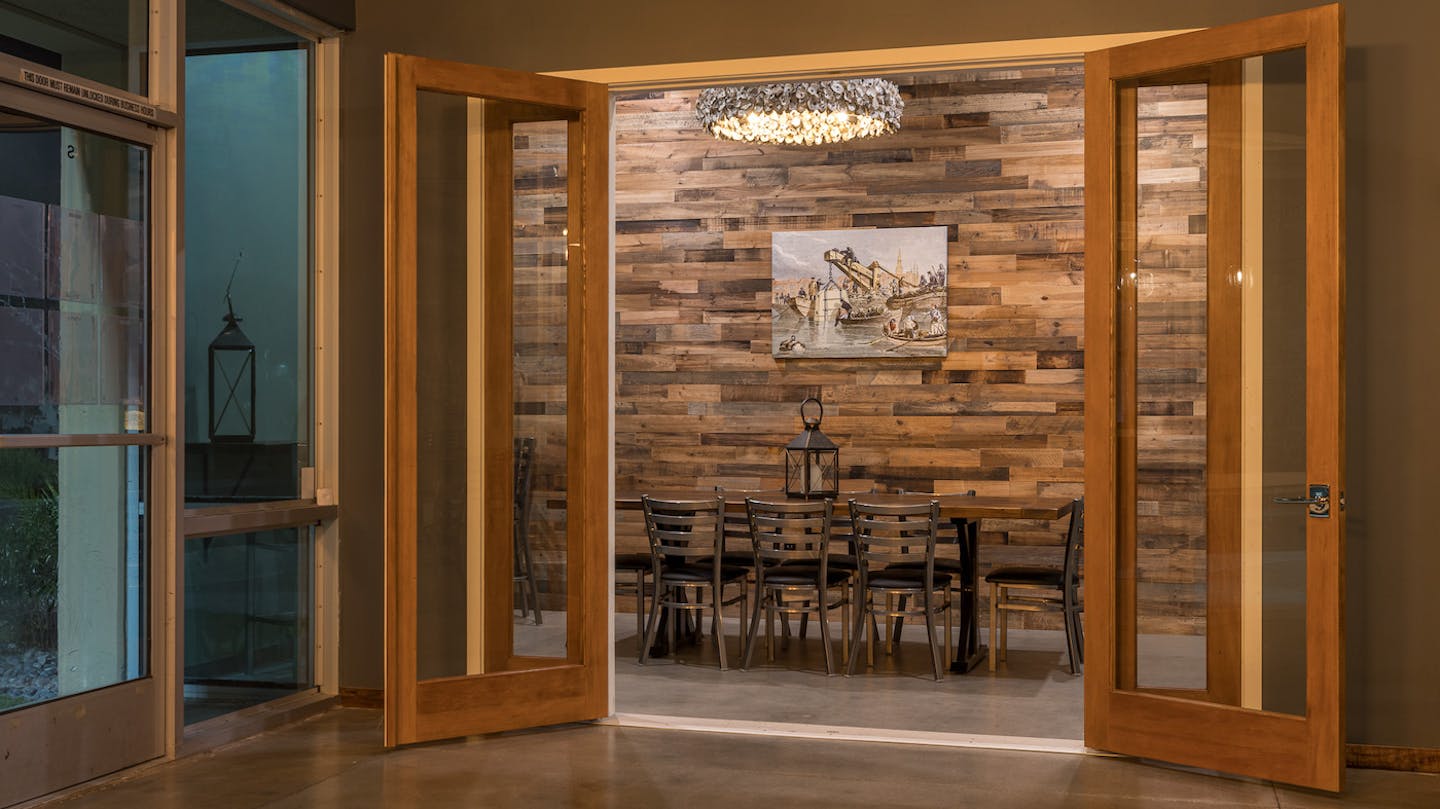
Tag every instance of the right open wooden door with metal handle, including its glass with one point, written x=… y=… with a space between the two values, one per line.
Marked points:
x=1215 y=398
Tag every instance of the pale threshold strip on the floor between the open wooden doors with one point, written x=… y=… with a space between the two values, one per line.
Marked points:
x=840 y=733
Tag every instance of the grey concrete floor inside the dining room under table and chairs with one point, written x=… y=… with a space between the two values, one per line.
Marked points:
x=1033 y=693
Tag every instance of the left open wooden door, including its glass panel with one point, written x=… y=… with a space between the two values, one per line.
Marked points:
x=498 y=487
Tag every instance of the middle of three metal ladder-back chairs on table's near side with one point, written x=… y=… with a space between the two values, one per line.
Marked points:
x=793 y=575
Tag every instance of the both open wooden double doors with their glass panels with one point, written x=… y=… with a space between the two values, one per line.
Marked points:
x=1215 y=411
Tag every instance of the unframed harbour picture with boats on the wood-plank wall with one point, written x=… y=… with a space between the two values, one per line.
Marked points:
x=862 y=293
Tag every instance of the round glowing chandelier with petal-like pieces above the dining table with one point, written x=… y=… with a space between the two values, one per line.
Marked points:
x=801 y=113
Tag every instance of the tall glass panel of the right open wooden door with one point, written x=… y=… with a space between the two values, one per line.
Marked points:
x=1220 y=361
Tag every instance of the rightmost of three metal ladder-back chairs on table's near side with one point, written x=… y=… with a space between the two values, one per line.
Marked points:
x=895 y=535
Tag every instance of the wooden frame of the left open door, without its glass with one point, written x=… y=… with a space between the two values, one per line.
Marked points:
x=562 y=690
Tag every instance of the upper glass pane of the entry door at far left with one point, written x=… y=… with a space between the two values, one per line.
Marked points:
x=74 y=280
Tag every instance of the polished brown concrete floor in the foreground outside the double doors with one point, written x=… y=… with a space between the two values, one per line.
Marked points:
x=336 y=761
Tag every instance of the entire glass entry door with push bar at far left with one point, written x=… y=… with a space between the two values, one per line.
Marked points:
x=81 y=470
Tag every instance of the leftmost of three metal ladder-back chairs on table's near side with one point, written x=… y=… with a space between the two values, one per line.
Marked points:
x=686 y=551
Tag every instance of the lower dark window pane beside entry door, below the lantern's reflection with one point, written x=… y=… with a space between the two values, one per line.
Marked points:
x=247 y=620
